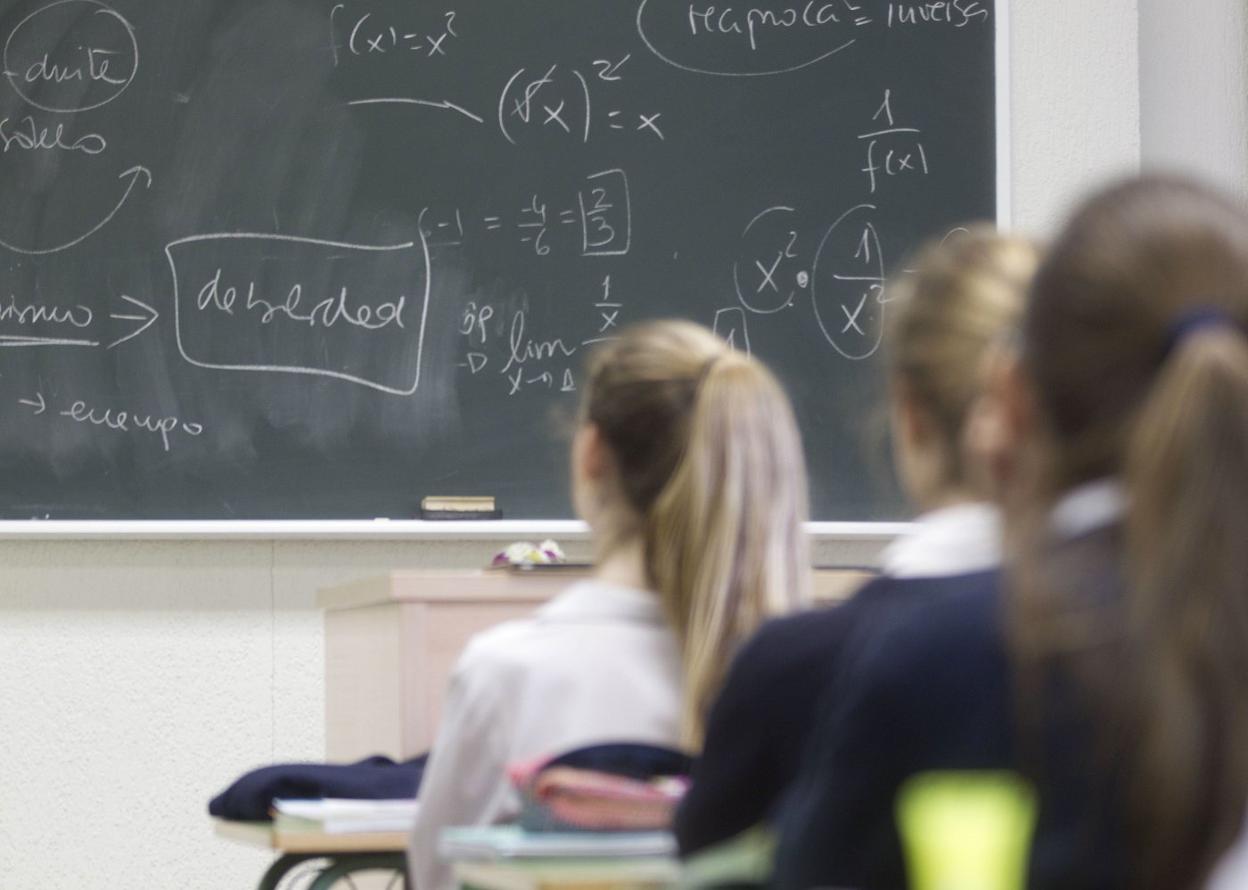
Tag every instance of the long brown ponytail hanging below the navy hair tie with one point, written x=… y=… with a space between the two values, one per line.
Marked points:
x=1187 y=559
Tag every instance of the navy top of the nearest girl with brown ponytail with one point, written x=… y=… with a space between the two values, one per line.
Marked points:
x=933 y=690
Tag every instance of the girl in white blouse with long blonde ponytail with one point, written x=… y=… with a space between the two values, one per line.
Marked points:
x=688 y=467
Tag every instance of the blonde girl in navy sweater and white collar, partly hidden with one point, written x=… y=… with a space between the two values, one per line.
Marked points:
x=947 y=319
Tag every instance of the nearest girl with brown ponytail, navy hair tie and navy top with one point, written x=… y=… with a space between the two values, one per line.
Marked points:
x=1110 y=662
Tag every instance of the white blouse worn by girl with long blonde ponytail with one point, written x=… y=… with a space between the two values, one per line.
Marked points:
x=598 y=663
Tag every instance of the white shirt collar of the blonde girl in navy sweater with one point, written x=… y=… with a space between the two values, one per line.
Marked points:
x=950 y=541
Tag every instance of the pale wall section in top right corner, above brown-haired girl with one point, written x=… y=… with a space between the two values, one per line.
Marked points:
x=1194 y=89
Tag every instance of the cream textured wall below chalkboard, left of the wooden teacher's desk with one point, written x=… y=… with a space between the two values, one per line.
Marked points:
x=137 y=680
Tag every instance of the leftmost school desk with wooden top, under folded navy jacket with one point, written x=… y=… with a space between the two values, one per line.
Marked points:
x=343 y=854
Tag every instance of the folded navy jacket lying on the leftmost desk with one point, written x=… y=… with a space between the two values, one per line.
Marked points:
x=250 y=798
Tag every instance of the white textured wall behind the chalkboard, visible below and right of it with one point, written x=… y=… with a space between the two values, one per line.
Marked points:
x=137 y=678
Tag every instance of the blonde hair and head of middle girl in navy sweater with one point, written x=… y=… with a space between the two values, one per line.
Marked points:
x=950 y=313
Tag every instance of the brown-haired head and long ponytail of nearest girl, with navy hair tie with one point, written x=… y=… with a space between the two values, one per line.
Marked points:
x=1135 y=366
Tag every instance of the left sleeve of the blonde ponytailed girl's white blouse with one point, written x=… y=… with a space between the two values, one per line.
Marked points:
x=466 y=782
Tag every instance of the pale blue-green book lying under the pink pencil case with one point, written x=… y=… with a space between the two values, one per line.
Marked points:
x=512 y=842
